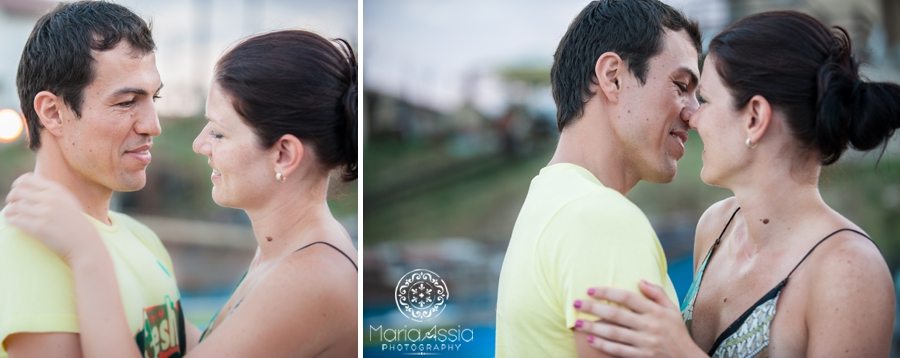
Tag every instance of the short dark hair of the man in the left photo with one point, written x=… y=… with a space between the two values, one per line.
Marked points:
x=57 y=56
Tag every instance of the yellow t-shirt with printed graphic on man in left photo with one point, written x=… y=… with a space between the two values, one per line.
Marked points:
x=37 y=294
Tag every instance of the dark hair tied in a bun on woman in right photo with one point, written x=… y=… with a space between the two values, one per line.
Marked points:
x=809 y=72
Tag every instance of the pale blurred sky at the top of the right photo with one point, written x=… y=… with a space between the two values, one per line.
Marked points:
x=439 y=53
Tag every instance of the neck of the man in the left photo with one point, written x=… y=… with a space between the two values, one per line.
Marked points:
x=94 y=198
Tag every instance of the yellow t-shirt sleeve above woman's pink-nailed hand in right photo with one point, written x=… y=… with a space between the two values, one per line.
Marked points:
x=601 y=246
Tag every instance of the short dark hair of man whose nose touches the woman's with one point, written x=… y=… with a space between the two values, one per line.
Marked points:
x=633 y=29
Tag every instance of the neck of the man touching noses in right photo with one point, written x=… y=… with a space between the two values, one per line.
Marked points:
x=583 y=145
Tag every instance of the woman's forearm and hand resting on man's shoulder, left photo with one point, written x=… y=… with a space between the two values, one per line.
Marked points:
x=48 y=212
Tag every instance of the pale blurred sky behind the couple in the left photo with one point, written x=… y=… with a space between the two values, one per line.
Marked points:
x=191 y=35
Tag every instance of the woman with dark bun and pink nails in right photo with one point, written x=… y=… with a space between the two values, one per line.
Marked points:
x=777 y=271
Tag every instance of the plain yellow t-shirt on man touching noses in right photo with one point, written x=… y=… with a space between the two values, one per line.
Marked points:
x=572 y=233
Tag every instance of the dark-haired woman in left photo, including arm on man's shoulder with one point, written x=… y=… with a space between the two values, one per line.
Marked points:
x=282 y=115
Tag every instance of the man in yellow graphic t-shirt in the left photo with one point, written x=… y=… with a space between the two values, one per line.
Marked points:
x=87 y=82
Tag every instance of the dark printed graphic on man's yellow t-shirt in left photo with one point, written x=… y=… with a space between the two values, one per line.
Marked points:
x=163 y=333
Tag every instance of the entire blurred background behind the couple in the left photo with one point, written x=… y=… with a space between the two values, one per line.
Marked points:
x=211 y=246
